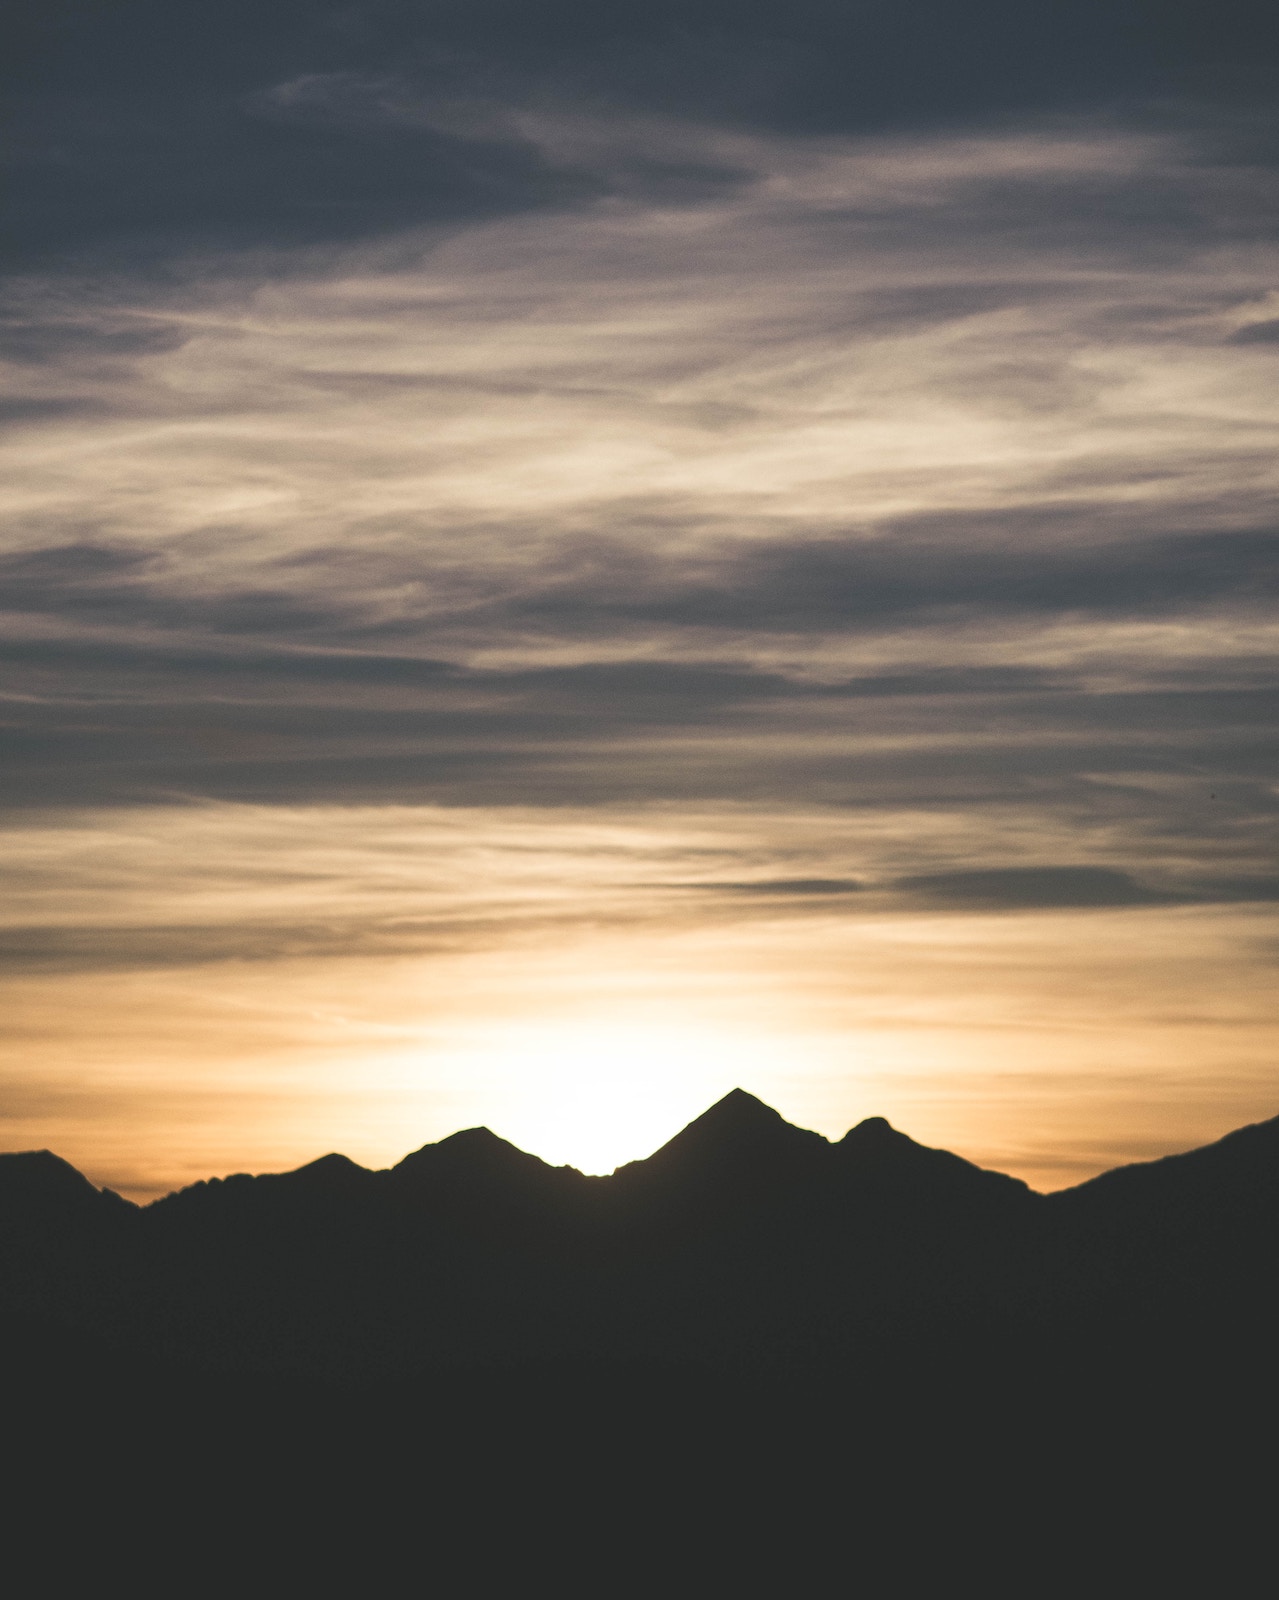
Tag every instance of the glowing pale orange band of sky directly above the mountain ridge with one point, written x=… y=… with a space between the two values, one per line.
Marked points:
x=369 y=980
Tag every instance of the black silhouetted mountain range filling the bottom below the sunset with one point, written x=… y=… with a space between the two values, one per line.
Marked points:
x=755 y=1346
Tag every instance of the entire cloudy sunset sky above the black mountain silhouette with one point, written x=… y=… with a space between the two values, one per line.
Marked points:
x=559 y=559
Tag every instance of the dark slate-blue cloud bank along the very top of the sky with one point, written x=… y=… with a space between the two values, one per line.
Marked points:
x=146 y=129
